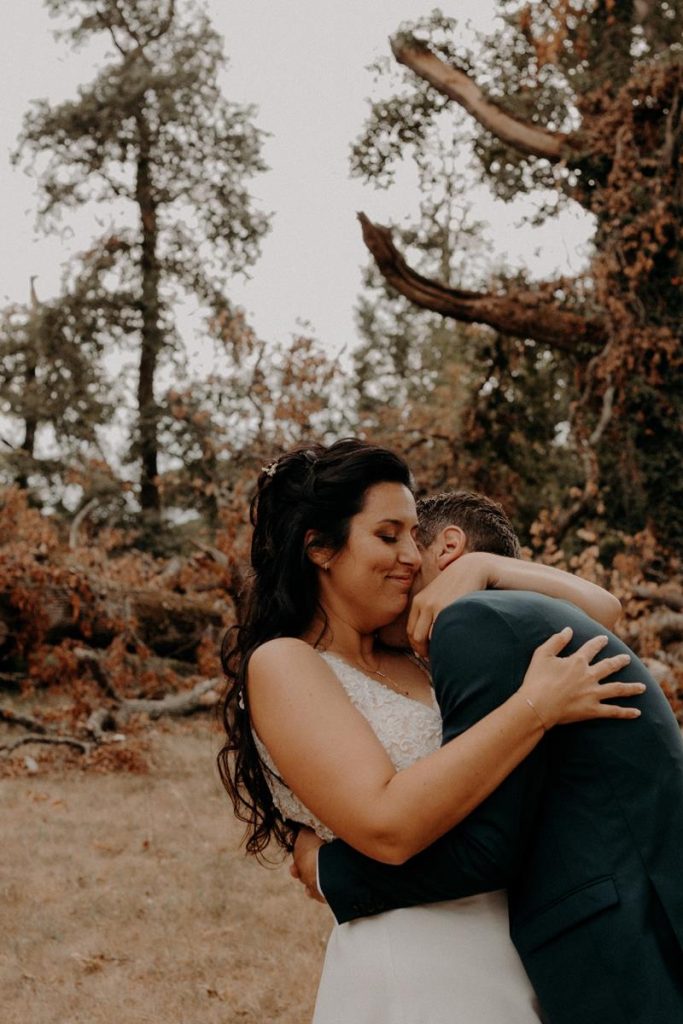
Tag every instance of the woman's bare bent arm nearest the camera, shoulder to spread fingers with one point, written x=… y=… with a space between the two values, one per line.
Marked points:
x=329 y=756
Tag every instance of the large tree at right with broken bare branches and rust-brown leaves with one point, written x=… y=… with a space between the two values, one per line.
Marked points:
x=585 y=103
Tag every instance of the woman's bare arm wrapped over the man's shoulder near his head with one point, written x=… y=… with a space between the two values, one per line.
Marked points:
x=481 y=571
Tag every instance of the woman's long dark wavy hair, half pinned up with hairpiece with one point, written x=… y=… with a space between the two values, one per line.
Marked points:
x=313 y=490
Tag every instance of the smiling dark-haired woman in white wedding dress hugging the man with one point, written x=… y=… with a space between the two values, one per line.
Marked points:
x=329 y=729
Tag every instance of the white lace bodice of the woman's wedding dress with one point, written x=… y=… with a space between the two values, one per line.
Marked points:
x=408 y=731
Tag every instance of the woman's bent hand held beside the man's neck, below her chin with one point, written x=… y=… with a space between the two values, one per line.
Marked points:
x=475 y=571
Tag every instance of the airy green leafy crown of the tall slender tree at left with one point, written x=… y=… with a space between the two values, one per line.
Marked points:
x=159 y=101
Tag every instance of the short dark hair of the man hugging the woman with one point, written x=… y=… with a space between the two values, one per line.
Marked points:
x=485 y=522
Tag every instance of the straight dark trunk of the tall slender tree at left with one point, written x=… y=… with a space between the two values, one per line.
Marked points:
x=152 y=339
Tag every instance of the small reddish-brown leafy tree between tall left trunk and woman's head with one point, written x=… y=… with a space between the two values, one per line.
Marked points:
x=259 y=401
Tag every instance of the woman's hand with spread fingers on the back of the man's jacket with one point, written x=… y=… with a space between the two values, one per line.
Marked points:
x=569 y=690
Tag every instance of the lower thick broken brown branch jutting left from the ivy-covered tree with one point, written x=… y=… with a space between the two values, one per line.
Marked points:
x=523 y=314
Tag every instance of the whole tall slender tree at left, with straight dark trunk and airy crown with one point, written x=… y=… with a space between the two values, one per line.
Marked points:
x=152 y=136
